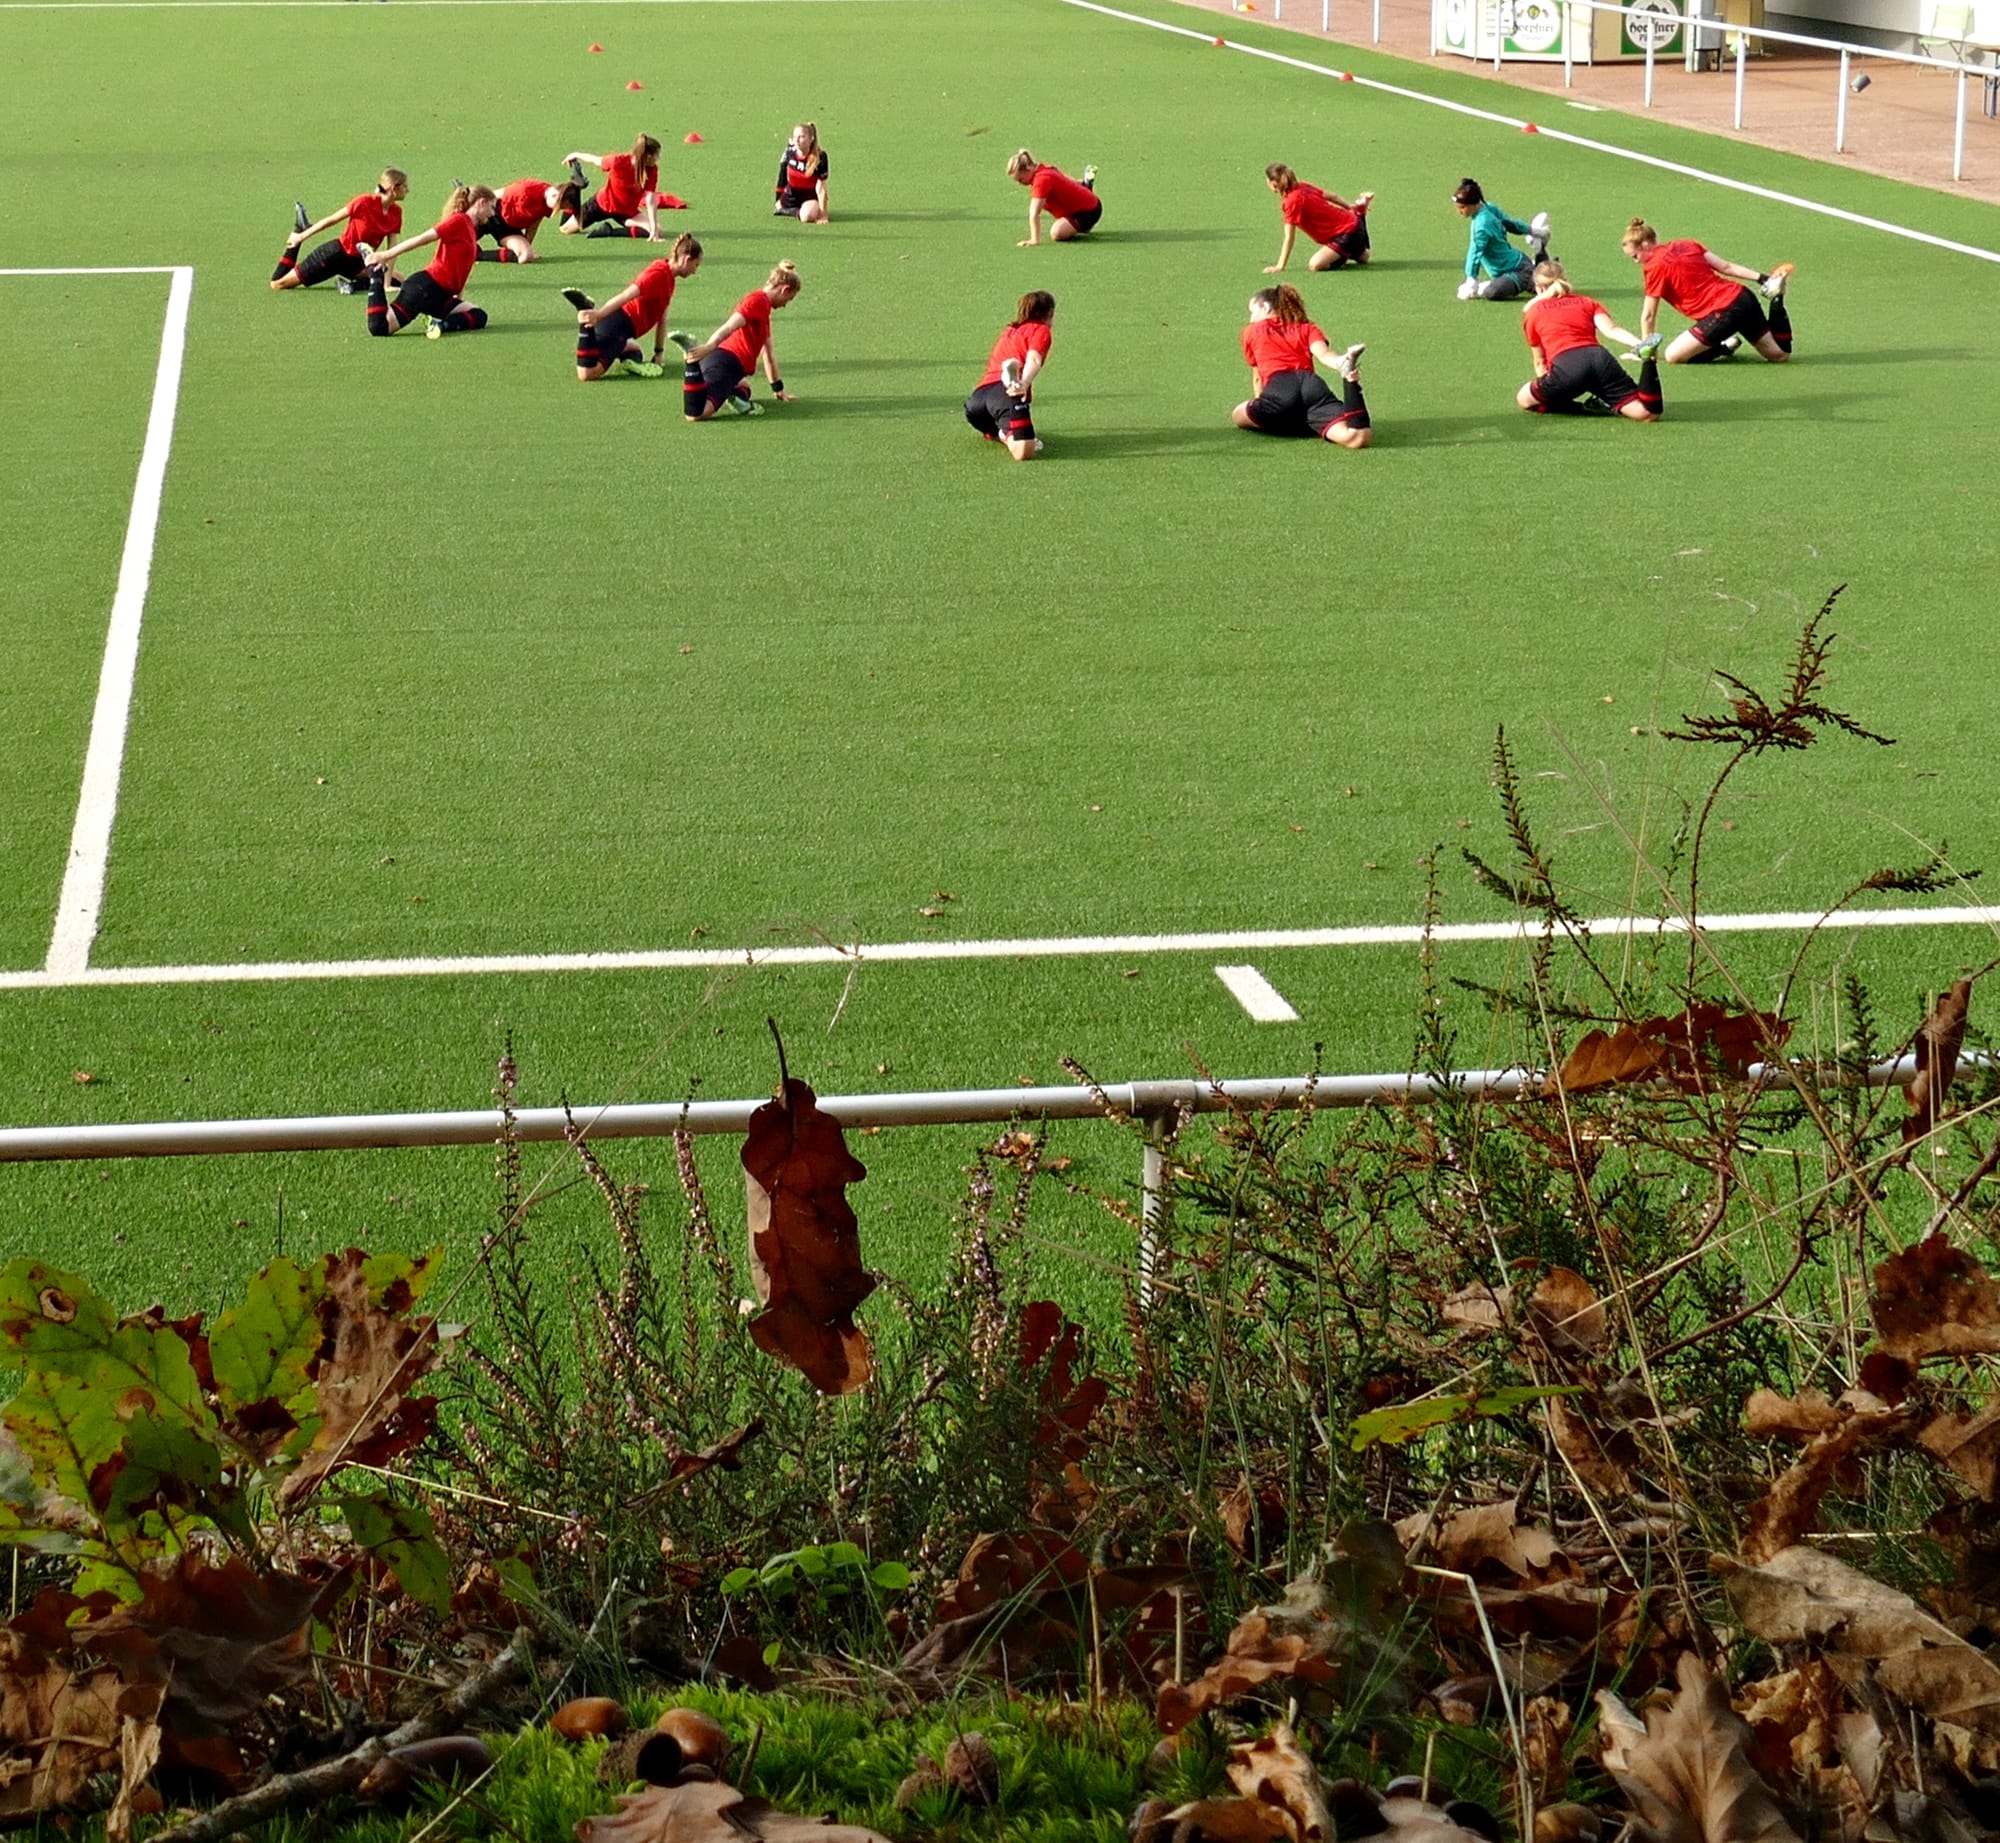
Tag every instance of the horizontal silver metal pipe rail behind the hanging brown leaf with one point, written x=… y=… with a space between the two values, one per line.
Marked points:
x=967 y=1106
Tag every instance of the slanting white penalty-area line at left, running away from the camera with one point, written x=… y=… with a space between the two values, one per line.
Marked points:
x=97 y=805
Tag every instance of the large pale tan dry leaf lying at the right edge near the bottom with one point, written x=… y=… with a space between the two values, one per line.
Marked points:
x=1805 y=1598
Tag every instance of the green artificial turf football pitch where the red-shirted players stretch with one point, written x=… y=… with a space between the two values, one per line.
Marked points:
x=447 y=655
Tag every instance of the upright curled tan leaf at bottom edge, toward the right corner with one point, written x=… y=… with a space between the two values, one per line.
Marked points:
x=1687 y=1774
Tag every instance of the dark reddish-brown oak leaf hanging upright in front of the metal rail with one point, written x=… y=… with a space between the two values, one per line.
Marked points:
x=805 y=1242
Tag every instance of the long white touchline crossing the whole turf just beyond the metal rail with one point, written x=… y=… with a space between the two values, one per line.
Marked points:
x=1091 y=946
